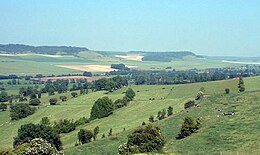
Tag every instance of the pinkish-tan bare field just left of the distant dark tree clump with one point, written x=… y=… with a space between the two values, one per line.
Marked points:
x=90 y=68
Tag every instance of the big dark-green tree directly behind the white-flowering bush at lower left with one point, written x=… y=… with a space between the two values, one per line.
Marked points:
x=28 y=132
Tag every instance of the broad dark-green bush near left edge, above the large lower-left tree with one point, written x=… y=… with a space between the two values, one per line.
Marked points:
x=21 y=110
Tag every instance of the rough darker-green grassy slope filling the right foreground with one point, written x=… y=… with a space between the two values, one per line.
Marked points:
x=219 y=134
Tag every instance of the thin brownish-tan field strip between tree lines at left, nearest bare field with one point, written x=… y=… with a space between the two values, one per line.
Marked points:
x=67 y=78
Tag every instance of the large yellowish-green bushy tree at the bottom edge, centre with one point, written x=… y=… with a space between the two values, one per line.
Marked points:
x=142 y=140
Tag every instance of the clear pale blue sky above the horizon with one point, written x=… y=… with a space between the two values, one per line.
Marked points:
x=206 y=27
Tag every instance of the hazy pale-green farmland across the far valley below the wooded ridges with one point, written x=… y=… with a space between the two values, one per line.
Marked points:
x=37 y=64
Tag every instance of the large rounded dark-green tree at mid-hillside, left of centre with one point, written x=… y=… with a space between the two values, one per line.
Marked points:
x=103 y=107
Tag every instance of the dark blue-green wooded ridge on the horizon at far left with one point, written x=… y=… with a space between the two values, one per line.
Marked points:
x=20 y=48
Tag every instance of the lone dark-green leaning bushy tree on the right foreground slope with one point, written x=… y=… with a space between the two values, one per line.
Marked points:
x=188 y=127
